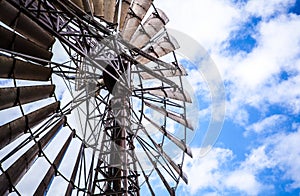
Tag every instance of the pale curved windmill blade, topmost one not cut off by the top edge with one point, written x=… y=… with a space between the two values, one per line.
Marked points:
x=149 y=29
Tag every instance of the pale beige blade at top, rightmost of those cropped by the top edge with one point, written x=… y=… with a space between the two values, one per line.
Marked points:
x=134 y=17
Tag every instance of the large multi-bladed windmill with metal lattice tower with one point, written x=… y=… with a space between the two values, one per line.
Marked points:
x=124 y=97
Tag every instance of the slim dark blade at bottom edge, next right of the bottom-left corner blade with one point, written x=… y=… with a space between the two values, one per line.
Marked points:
x=45 y=183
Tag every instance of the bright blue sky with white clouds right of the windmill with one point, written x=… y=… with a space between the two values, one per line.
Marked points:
x=255 y=45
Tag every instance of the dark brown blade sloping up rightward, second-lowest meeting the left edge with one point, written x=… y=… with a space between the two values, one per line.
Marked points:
x=12 y=130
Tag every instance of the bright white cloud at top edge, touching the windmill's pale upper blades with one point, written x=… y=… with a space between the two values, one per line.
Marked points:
x=209 y=21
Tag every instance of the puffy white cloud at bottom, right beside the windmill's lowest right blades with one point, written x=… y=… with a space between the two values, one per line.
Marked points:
x=212 y=172
